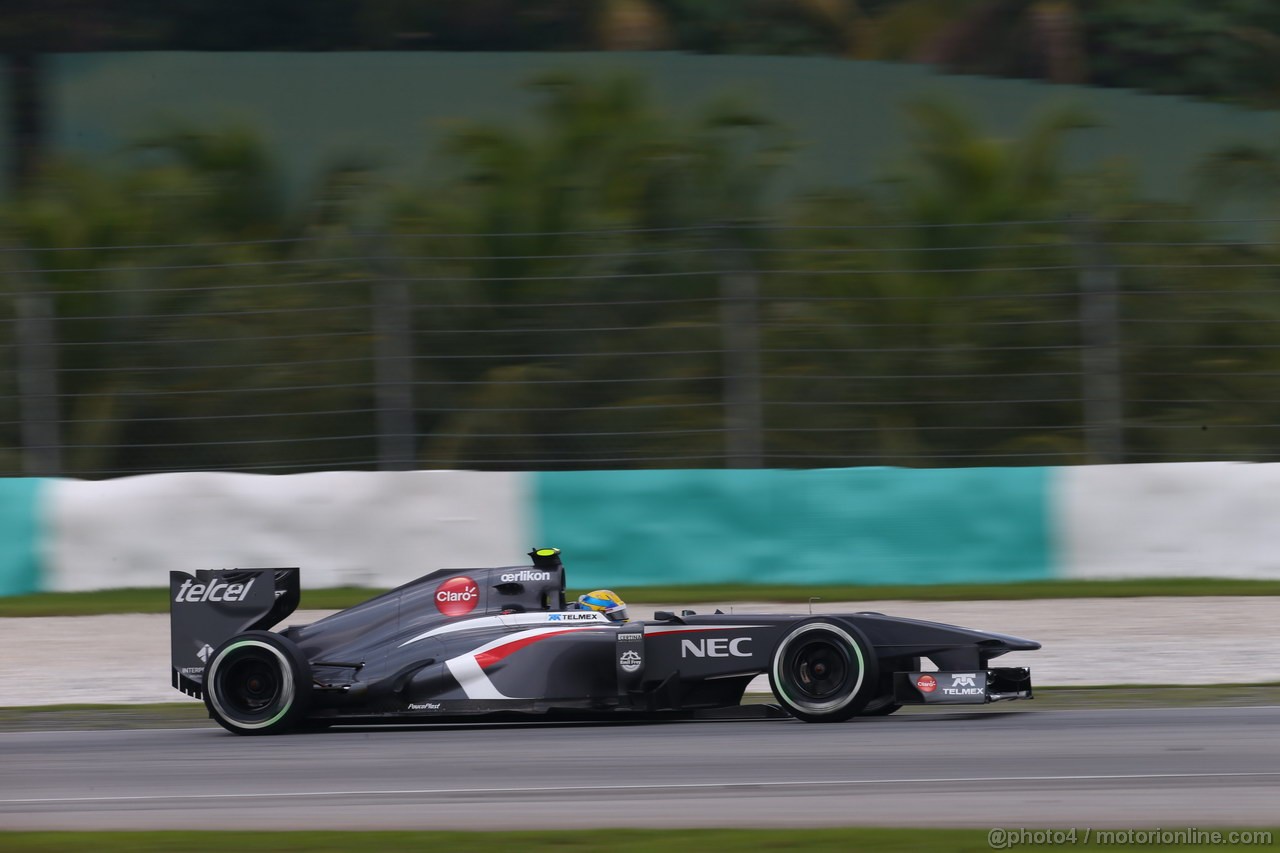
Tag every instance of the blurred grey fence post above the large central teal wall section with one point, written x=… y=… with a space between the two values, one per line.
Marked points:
x=739 y=295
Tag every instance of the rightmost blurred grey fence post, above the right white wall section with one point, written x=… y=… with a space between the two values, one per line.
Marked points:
x=1100 y=355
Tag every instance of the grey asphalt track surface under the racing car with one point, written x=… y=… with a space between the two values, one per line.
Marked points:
x=1169 y=768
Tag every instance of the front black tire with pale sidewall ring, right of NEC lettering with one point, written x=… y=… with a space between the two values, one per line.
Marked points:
x=824 y=670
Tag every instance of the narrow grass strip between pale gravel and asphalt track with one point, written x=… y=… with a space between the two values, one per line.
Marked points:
x=1064 y=699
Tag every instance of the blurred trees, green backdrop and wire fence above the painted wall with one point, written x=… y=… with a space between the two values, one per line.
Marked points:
x=637 y=234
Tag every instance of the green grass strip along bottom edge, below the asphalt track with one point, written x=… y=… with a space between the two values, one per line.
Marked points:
x=615 y=841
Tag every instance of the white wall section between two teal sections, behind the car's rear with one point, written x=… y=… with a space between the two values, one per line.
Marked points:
x=342 y=528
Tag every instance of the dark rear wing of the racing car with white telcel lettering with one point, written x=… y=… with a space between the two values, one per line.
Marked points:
x=216 y=605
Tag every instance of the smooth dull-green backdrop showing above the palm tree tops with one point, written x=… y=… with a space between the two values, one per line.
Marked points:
x=396 y=108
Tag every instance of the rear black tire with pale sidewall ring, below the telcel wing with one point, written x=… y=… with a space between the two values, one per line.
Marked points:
x=258 y=683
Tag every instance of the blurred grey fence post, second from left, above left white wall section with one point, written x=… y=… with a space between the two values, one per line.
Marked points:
x=394 y=366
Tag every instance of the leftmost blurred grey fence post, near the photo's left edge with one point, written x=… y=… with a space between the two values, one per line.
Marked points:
x=38 y=386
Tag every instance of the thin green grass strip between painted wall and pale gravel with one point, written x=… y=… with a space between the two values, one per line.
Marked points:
x=157 y=601
